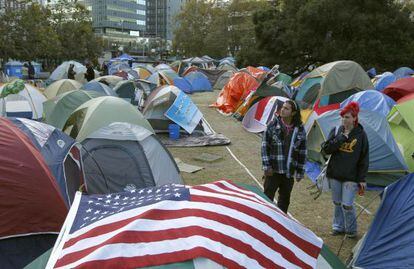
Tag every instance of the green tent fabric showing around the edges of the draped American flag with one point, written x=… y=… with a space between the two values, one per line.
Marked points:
x=326 y=260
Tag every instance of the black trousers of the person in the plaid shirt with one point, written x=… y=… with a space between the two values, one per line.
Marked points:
x=285 y=186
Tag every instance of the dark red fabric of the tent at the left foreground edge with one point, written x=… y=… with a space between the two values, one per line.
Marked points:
x=27 y=187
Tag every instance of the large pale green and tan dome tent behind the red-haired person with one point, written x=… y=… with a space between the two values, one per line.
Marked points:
x=337 y=81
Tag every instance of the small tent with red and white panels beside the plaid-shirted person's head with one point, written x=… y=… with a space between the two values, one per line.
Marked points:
x=261 y=113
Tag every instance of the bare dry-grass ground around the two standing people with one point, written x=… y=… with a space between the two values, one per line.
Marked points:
x=314 y=214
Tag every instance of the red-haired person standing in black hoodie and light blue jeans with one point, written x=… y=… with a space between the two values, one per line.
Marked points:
x=347 y=168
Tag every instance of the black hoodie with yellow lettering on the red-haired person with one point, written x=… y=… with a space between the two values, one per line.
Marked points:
x=350 y=156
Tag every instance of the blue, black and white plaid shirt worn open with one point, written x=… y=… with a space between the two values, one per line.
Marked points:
x=272 y=150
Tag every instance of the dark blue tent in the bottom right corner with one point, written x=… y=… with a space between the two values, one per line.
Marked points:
x=389 y=243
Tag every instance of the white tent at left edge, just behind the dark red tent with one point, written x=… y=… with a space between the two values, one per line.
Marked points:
x=19 y=102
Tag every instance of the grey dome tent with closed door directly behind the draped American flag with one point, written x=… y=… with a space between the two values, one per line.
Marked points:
x=122 y=156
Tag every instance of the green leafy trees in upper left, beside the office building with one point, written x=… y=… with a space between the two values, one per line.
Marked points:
x=62 y=32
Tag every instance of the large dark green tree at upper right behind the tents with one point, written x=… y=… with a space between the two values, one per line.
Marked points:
x=371 y=32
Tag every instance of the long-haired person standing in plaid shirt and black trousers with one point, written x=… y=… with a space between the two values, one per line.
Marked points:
x=284 y=153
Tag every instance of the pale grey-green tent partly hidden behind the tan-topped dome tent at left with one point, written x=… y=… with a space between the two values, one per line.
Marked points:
x=58 y=109
